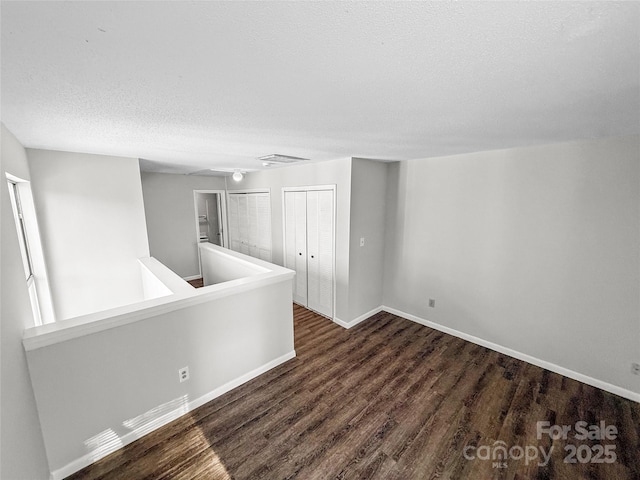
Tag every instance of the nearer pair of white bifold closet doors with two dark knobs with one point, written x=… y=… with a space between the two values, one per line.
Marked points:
x=309 y=245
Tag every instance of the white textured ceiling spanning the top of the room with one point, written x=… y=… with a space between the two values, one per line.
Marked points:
x=216 y=84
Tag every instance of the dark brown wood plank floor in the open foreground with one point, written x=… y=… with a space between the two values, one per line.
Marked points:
x=388 y=399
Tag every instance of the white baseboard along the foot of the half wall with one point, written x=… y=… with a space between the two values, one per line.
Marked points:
x=86 y=460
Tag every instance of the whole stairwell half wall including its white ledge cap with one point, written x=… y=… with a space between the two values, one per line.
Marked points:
x=225 y=333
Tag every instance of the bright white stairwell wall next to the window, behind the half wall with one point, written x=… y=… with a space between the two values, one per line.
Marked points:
x=91 y=215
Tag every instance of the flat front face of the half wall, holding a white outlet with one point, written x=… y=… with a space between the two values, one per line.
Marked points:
x=117 y=384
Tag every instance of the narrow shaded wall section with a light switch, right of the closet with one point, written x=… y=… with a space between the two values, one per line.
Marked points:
x=368 y=213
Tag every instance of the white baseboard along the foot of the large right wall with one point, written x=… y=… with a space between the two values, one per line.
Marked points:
x=594 y=382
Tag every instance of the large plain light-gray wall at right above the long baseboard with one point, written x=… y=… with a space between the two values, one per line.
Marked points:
x=535 y=249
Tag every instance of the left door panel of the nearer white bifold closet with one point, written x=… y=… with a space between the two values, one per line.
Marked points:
x=296 y=242
